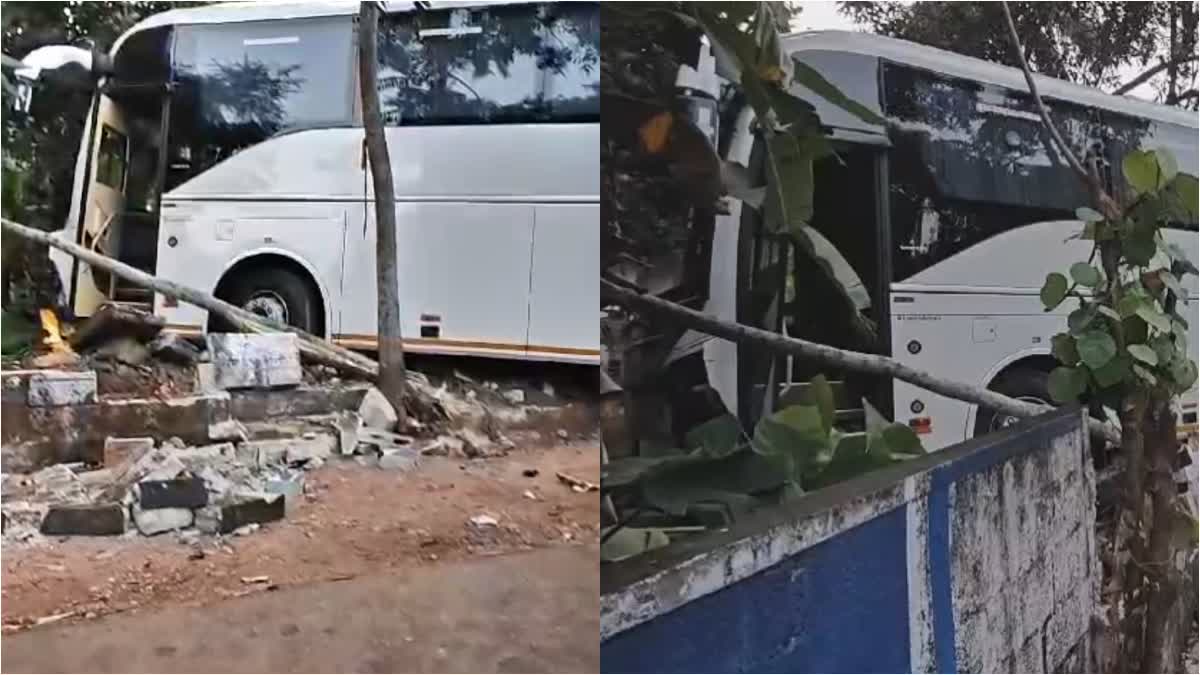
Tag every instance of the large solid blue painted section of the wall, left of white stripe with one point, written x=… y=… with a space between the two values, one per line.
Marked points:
x=839 y=607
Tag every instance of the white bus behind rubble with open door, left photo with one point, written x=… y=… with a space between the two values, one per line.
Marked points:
x=225 y=151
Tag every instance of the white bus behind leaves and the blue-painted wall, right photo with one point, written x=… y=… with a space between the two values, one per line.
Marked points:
x=952 y=214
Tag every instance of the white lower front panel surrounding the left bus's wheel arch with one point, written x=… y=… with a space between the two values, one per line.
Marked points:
x=212 y=237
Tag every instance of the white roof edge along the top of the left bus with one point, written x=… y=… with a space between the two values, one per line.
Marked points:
x=261 y=10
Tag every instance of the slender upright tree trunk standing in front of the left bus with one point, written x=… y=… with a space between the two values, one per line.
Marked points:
x=392 y=348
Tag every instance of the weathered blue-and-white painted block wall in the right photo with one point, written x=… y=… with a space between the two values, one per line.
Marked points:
x=979 y=559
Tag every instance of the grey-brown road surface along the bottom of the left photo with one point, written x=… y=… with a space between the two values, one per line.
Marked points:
x=532 y=612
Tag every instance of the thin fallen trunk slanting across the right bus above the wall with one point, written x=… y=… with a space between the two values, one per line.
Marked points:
x=857 y=362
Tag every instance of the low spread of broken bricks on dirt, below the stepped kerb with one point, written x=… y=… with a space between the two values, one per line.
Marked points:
x=250 y=476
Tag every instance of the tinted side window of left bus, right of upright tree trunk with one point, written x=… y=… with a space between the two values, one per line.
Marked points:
x=490 y=65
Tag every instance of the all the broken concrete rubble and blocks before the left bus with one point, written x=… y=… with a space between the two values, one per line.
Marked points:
x=236 y=471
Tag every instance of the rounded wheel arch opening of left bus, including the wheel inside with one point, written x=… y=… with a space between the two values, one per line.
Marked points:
x=275 y=285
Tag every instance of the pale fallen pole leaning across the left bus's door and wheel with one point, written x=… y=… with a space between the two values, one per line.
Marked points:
x=315 y=349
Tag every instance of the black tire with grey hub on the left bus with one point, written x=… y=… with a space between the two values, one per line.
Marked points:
x=274 y=290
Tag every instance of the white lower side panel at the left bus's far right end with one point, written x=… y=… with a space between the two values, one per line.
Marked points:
x=566 y=270
